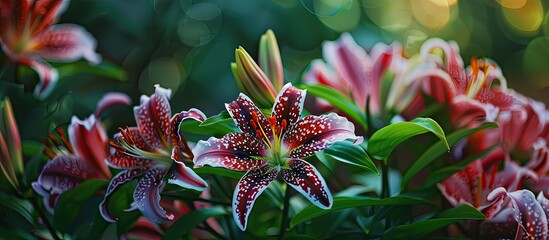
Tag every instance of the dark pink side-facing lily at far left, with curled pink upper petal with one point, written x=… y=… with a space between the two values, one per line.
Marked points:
x=78 y=158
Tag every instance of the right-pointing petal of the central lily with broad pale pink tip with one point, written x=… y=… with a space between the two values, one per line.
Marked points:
x=316 y=133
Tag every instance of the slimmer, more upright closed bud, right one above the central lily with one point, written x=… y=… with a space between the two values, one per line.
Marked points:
x=269 y=59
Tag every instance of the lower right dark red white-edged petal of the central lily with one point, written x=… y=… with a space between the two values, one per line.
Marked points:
x=304 y=178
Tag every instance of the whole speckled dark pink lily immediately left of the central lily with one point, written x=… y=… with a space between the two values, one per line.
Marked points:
x=148 y=151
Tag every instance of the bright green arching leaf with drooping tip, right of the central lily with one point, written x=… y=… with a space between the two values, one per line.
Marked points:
x=384 y=141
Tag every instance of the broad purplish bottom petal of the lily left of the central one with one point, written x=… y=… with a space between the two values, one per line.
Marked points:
x=147 y=196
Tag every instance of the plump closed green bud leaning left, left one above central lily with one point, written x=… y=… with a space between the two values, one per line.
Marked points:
x=251 y=80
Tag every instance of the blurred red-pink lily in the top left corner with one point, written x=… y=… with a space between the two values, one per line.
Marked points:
x=29 y=37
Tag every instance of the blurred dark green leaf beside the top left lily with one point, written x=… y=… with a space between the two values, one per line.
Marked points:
x=105 y=69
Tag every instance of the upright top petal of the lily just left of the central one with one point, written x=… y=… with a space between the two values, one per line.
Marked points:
x=153 y=117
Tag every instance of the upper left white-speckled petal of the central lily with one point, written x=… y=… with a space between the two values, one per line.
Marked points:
x=241 y=111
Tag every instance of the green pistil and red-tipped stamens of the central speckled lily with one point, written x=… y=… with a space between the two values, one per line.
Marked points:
x=274 y=144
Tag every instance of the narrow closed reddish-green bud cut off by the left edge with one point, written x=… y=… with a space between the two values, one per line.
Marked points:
x=11 y=160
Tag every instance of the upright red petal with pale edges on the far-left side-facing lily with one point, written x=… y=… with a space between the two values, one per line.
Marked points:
x=89 y=141
